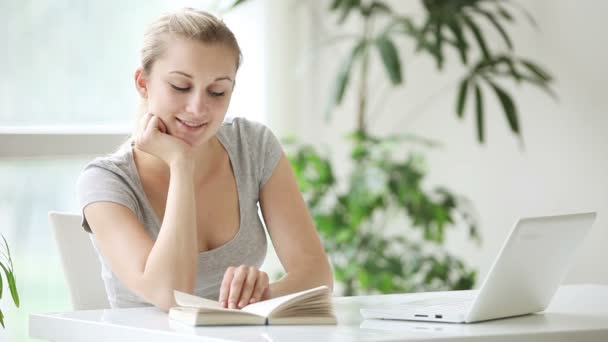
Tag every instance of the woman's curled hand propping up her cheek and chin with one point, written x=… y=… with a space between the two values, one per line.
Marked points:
x=154 y=139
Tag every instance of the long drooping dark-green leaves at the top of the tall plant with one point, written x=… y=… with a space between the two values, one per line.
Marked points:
x=448 y=24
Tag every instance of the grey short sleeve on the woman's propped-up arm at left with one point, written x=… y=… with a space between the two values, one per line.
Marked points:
x=97 y=184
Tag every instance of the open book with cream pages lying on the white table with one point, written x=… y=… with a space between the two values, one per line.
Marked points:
x=311 y=306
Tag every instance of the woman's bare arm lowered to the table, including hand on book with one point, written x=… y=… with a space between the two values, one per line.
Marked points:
x=296 y=241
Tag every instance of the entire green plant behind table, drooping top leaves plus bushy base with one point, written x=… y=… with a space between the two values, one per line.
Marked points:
x=386 y=186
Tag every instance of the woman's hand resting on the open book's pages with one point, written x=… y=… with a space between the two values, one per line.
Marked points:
x=243 y=285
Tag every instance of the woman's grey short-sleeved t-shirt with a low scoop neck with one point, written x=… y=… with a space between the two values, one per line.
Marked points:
x=254 y=152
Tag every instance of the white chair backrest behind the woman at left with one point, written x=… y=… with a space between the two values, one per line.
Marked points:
x=80 y=262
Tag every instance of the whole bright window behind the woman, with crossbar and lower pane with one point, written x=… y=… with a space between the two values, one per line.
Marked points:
x=67 y=95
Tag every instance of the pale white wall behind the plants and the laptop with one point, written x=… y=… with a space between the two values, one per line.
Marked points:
x=563 y=164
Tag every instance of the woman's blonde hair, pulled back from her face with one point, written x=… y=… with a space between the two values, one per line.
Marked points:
x=185 y=23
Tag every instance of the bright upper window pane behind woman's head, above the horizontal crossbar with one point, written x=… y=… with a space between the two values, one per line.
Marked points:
x=72 y=63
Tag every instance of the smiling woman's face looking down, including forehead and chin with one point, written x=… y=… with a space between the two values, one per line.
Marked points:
x=190 y=87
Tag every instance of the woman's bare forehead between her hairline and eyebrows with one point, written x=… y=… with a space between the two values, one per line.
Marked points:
x=197 y=58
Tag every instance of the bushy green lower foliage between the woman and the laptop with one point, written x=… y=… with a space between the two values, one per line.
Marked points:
x=381 y=190
